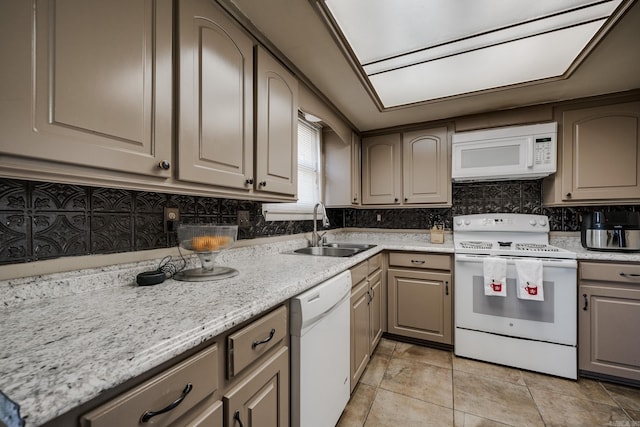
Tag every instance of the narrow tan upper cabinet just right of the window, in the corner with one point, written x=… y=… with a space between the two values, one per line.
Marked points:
x=342 y=170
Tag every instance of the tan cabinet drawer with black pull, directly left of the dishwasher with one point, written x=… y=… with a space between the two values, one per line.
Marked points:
x=254 y=340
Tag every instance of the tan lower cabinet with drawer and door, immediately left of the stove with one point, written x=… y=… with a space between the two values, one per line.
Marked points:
x=420 y=295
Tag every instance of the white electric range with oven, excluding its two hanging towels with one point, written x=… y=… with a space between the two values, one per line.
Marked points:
x=539 y=336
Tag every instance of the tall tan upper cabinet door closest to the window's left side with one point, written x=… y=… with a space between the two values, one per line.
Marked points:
x=276 y=127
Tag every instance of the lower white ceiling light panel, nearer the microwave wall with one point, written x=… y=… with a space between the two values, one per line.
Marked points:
x=520 y=61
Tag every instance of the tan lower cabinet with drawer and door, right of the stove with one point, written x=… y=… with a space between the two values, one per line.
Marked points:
x=608 y=319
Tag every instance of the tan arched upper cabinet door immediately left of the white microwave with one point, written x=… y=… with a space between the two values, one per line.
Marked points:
x=425 y=166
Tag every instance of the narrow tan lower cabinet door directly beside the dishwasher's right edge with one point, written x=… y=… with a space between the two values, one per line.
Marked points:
x=360 y=336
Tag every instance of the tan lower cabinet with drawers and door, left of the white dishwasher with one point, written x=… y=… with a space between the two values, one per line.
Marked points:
x=196 y=392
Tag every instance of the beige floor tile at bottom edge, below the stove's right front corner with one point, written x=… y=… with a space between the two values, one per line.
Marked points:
x=559 y=409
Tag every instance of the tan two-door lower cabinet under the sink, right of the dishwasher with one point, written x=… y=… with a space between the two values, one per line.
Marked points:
x=367 y=309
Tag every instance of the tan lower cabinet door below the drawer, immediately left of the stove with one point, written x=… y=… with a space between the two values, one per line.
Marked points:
x=420 y=305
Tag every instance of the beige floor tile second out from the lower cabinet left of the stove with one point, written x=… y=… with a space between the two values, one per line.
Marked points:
x=419 y=380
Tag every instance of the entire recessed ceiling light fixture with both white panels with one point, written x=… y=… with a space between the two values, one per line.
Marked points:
x=417 y=50
